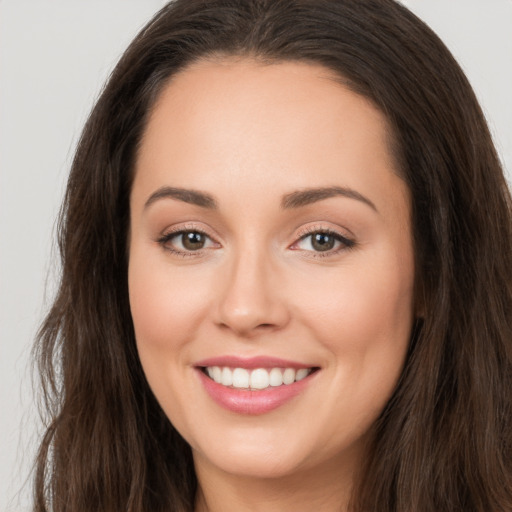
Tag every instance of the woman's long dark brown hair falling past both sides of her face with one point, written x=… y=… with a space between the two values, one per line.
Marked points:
x=444 y=441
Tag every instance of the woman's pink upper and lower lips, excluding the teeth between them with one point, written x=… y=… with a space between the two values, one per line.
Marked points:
x=246 y=401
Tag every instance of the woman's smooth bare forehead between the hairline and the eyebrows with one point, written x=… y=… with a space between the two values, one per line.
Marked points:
x=287 y=123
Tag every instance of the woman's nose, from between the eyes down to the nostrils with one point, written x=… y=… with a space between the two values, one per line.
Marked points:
x=251 y=299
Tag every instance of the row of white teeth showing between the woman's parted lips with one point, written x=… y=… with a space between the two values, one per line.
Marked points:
x=256 y=379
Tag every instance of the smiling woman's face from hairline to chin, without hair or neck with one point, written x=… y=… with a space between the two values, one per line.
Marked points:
x=271 y=265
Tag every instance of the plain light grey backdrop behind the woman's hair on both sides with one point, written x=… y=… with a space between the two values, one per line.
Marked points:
x=54 y=58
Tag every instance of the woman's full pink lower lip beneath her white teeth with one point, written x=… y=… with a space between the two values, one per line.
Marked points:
x=247 y=401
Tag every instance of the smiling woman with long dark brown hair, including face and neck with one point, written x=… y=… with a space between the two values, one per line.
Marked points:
x=286 y=284
